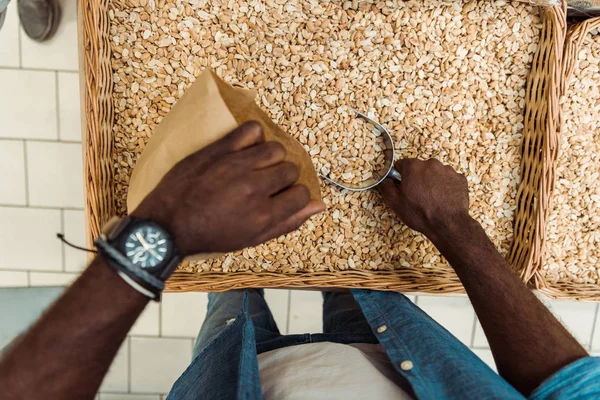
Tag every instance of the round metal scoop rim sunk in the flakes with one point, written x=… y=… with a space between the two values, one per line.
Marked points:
x=387 y=171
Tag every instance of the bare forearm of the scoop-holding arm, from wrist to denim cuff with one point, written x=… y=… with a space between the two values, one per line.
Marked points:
x=527 y=341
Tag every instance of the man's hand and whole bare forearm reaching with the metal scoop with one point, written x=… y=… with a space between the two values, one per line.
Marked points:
x=528 y=343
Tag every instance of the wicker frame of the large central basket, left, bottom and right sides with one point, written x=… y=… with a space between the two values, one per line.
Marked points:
x=532 y=198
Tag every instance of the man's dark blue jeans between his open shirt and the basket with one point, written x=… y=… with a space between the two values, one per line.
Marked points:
x=343 y=321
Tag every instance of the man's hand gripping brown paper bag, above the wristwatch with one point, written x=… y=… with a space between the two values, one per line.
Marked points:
x=235 y=193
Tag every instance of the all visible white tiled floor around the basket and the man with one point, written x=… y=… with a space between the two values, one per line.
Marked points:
x=40 y=114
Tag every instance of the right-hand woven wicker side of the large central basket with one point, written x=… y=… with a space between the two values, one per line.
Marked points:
x=540 y=145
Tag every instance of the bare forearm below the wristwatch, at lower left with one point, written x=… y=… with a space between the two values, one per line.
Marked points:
x=68 y=351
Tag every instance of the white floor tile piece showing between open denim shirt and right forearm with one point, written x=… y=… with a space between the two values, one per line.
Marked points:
x=454 y=313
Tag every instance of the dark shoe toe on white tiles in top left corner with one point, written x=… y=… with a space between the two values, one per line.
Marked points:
x=39 y=18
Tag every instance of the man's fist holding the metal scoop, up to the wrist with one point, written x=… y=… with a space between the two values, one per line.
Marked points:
x=431 y=196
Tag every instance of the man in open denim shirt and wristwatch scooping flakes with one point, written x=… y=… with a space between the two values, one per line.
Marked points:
x=239 y=192
